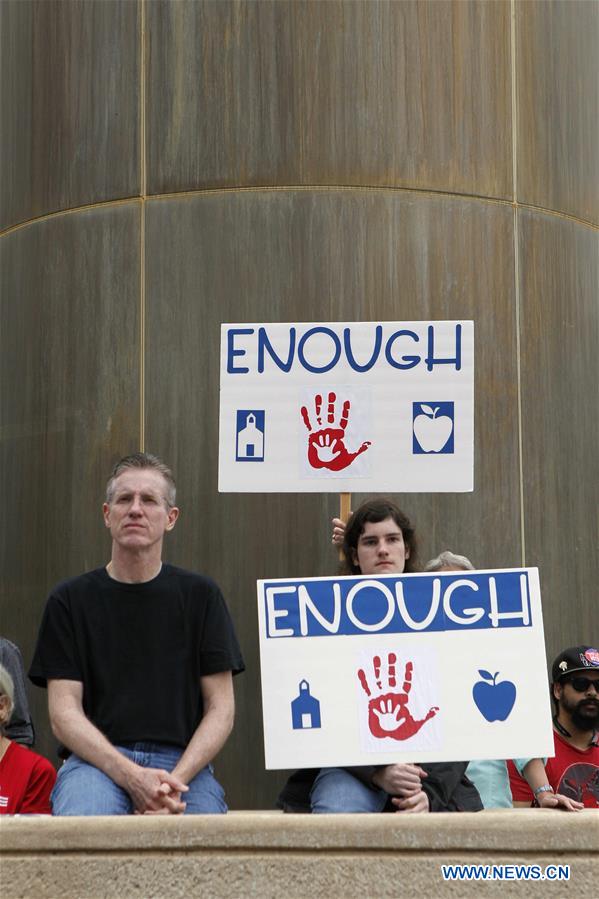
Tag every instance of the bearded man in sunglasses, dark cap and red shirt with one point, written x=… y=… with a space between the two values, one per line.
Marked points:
x=574 y=769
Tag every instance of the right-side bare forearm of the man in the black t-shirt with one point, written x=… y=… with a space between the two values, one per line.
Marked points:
x=214 y=728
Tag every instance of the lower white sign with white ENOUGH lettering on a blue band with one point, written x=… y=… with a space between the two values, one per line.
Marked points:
x=403 y=668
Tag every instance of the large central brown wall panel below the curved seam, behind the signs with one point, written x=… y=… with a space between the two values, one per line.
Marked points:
x=322 y=255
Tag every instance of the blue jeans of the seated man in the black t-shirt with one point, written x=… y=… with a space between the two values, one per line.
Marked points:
x=82 y=789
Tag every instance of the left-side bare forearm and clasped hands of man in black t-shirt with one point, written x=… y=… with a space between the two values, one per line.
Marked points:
x=149 y=788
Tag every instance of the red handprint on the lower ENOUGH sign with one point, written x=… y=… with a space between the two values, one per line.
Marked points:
x=388 y=713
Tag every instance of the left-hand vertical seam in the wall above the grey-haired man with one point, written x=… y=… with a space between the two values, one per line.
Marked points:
x=142 y=231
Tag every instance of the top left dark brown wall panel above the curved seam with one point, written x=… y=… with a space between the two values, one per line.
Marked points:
x=69 y=91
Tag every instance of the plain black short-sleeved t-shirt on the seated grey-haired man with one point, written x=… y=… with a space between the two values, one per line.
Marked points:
x=139 y=650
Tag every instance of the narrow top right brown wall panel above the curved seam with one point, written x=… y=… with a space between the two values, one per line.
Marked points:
x=558 y=106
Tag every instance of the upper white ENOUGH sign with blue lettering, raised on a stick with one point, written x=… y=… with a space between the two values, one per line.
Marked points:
x=347 y=407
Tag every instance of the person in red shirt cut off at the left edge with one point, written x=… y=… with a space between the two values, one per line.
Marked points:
x=26 y=778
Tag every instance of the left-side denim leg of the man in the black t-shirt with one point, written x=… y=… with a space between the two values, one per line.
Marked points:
x=82 y=789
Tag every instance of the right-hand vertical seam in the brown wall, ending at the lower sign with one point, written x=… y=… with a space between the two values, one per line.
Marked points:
x=516 y=252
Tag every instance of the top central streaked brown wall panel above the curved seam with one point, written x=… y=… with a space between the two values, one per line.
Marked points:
x=342 y=93
